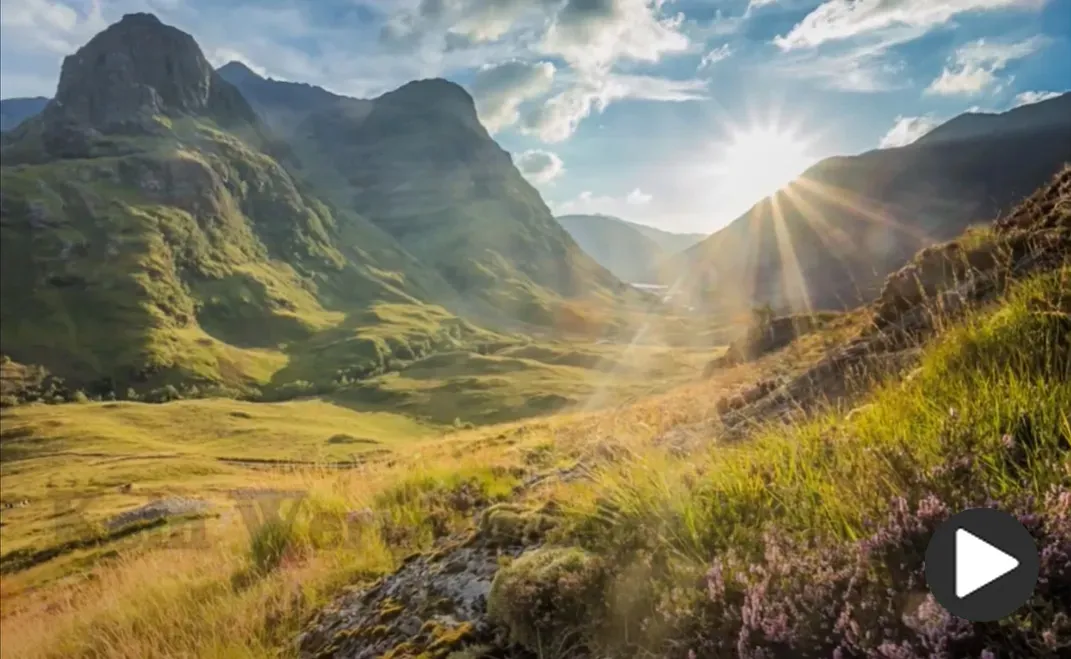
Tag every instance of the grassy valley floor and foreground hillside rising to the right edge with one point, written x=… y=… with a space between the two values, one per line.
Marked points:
x=778 y=508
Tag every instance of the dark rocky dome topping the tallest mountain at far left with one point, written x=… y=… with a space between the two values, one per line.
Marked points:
x=138 y=69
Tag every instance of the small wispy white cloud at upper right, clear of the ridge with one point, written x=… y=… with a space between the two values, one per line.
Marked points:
x=974 y=68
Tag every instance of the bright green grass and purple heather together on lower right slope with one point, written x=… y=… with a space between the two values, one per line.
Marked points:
x=809 y=541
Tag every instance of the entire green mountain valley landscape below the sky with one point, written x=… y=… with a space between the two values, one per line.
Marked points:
x=291 y=373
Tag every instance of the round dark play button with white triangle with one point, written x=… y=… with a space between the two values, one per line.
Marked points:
x=982 y=565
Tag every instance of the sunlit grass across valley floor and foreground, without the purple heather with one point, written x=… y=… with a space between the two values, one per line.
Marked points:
x=635 y=541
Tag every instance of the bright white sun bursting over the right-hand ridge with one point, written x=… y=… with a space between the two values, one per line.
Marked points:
x=757 y=162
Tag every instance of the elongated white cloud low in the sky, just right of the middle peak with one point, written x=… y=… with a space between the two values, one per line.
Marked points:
x=556 y=119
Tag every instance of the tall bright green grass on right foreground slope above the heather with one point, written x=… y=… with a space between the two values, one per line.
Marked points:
x=1006 y=371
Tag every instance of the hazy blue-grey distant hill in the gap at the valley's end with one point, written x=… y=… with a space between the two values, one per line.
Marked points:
x=631 y=251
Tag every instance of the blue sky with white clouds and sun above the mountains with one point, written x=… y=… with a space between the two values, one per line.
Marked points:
x=677 y=114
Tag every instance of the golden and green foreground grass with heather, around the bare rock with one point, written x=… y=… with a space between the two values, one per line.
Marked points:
x=807 y=538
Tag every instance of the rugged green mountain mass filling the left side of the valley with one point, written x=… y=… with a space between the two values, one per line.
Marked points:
x=158 y=232
